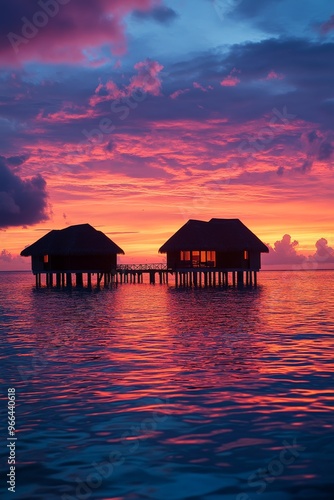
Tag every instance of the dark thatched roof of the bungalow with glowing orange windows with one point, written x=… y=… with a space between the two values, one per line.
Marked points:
x=217 y=234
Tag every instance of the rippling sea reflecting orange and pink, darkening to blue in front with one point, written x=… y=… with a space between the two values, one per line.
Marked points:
x=151 y=392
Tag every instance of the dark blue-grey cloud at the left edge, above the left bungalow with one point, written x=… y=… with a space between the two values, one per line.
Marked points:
x=22 y=202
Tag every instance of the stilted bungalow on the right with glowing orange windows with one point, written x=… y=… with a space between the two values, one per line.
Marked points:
x=218 y=246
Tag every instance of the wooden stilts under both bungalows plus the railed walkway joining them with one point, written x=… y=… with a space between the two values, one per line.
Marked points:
x=157 y=273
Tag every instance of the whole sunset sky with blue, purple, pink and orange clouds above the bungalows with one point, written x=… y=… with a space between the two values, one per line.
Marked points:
x=137 y=115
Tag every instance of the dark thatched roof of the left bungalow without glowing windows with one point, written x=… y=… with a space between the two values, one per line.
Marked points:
x=81 y=239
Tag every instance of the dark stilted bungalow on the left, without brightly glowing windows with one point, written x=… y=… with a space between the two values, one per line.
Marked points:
x=74 y=250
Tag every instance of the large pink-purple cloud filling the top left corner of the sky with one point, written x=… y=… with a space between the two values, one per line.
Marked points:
x=66 y=33
